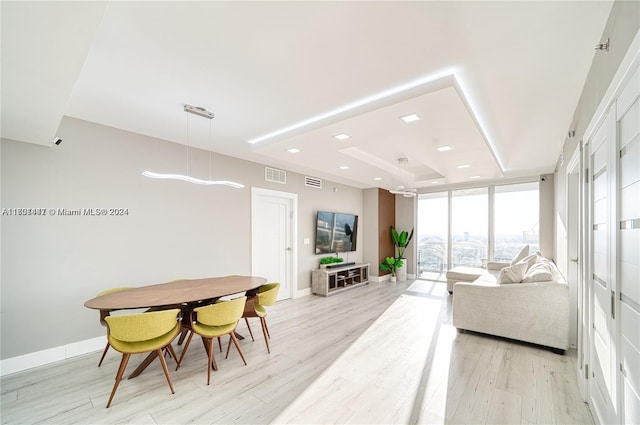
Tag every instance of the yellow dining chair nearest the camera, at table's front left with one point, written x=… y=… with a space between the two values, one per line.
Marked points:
x=143 y=333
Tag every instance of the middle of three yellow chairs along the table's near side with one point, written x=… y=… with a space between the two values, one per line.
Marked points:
x=213 y=321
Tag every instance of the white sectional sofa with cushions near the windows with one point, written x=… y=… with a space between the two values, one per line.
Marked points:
x=527 y=300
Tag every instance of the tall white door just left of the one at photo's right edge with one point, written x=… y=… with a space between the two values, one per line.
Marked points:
x=602 y=385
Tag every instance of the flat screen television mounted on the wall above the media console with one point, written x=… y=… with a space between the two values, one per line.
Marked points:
x=336 y=232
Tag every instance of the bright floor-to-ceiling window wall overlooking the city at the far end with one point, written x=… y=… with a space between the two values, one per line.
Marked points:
x=468 y=227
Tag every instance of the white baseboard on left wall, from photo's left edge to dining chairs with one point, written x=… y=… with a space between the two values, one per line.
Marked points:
x=50 y=355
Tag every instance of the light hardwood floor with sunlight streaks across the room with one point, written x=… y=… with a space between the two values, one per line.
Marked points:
x=383 y=353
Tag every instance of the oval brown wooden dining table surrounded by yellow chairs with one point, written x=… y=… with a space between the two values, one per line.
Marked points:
x=177 y=292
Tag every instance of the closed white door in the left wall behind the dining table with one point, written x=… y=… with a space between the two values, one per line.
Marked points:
x=272 y=234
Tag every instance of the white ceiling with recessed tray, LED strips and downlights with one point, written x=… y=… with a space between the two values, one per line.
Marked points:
x=497 y=81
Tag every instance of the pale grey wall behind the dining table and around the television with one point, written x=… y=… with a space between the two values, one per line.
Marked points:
x=52 y=264
